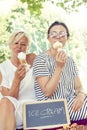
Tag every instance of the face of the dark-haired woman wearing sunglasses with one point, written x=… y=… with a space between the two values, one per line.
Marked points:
x=57 y=33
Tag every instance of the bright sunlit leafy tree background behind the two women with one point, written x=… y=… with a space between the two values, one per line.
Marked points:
x=35 y=16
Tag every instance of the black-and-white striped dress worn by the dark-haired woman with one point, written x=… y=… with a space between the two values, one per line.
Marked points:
x=44 y=65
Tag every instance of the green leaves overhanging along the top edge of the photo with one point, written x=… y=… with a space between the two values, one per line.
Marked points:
x=35 y=6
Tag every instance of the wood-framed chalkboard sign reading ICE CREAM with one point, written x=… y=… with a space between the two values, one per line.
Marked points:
x=45 y=114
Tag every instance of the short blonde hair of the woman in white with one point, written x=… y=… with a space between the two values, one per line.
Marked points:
x=16 y=36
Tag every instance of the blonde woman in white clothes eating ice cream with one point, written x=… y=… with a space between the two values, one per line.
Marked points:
x=17 y=83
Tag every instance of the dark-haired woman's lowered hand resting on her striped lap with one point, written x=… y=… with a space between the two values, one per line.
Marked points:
x=78 y=102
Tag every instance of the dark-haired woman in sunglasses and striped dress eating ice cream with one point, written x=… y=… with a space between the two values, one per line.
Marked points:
x=56 y=74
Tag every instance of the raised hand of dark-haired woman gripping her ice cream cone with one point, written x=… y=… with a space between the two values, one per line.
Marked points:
x=61 y=58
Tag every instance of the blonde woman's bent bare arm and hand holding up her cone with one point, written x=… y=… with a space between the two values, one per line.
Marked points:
x=14 y=91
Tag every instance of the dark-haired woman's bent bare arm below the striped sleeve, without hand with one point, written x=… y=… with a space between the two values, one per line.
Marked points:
x=49 y=84
